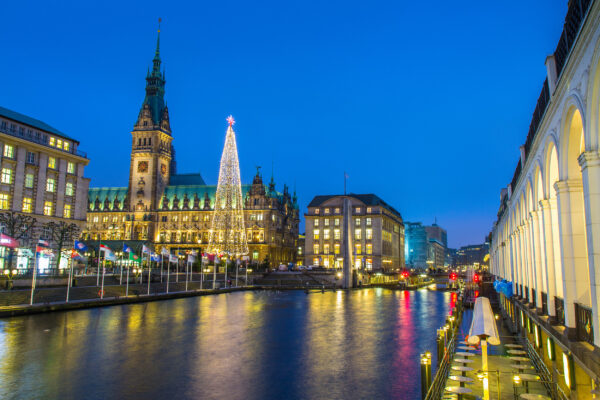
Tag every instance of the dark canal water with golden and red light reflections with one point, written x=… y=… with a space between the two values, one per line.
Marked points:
x=361 y=344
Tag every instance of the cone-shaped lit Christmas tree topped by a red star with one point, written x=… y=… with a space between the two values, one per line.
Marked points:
x=227 y=234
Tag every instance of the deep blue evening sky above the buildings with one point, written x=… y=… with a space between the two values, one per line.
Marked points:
x=422 y=103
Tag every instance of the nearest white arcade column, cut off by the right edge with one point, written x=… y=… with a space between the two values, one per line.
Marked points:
x=590 y=176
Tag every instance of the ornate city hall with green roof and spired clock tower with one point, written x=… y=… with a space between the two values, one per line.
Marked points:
x=175 y=211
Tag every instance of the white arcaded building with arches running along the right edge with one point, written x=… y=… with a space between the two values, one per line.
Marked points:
x=546 y=240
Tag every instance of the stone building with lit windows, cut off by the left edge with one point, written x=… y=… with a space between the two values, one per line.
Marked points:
x=41 y=175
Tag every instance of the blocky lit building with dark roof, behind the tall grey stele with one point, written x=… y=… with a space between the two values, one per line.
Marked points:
x=377 y=233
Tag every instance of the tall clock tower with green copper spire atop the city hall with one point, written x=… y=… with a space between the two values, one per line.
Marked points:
x=151 y=146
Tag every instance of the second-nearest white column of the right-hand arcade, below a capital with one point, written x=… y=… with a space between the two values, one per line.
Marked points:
x=576 y=287
